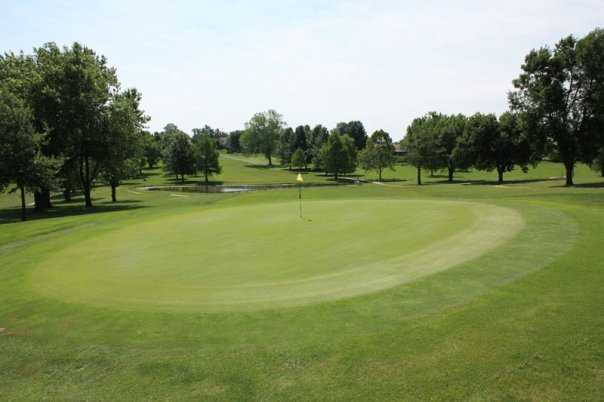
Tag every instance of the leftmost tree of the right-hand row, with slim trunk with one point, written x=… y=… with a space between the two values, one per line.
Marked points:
x=423 y=144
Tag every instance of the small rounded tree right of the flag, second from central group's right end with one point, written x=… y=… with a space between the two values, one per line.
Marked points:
x=338 y=155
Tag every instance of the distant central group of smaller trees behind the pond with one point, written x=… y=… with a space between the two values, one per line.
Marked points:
x=337 y=151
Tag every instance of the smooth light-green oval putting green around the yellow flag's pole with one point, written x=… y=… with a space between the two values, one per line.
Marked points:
x=265 y=256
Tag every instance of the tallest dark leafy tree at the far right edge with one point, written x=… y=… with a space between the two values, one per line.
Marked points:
x=561 y=94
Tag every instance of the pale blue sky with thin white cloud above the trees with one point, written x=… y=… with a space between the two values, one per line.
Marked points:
x=315 y=62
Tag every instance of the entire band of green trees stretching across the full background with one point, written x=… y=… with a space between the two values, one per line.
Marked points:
x=66 y=124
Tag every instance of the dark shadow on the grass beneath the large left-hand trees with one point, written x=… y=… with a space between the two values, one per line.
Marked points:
x=64 y=209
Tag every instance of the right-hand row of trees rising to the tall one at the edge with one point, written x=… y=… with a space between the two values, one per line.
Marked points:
x=556 y=111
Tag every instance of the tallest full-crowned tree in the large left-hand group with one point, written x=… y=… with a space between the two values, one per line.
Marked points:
x=70 y=95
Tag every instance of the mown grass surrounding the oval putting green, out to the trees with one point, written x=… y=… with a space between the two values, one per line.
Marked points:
x=521 y=322
